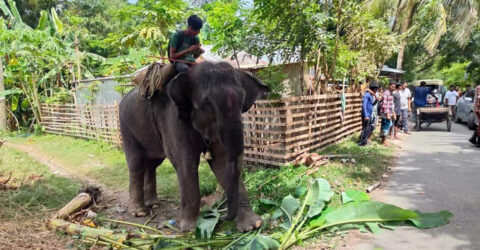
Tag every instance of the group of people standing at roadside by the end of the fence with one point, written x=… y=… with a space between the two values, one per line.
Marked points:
x=393 y=106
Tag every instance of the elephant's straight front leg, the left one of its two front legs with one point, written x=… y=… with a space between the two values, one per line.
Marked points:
x=189 y=194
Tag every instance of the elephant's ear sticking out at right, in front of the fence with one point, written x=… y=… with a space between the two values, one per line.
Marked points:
x=254 y=90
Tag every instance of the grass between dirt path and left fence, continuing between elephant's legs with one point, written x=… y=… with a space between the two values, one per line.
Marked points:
x=107 y=164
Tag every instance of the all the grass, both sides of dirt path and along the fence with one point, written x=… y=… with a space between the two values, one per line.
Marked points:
x=107 y=164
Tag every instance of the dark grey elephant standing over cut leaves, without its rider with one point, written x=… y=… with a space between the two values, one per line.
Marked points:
x=197 y=111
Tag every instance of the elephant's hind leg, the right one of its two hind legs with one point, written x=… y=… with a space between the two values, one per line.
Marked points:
x=150 y=183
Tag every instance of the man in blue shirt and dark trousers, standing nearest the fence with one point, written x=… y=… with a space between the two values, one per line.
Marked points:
x=367 y=111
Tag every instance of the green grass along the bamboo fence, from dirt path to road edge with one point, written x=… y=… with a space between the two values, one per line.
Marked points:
x=107 y=164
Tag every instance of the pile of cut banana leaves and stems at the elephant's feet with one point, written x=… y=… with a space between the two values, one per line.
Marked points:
x=302 y=215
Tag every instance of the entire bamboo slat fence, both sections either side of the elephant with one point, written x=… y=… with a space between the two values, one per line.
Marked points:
x=276 y=131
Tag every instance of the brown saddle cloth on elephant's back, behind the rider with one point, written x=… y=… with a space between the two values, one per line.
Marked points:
x=153 y=78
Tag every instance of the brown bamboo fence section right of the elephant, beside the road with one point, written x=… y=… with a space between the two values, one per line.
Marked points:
x=278 y=131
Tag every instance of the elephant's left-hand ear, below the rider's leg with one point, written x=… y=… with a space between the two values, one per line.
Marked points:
x=179 y=92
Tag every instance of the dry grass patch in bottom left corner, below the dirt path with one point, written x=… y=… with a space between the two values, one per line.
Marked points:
x=23 y=211
